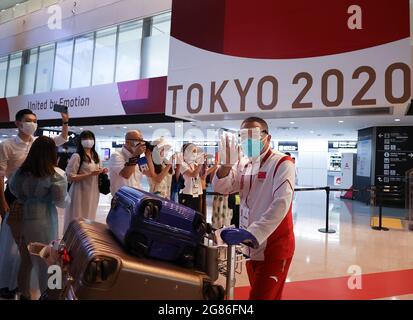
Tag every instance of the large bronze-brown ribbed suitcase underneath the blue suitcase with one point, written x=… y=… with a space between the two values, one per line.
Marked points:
x=101 y=269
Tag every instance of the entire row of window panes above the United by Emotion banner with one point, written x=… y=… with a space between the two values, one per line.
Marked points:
x=116 y=53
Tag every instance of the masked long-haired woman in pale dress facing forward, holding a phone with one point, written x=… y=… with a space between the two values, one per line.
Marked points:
x=82 y=172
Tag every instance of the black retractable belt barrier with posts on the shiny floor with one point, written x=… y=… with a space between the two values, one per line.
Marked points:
x=328 y=189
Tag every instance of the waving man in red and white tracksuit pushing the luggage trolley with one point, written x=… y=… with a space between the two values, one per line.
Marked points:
x=265 y=182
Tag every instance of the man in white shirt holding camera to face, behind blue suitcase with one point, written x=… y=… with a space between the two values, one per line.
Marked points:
x=126 y=166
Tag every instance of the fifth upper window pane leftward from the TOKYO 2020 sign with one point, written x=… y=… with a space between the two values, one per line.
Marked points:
x=63 y=65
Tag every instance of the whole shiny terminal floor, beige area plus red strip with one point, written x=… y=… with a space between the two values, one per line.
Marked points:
x=322 y=258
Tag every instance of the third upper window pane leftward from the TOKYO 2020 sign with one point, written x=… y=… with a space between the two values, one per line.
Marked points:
x=104 y=59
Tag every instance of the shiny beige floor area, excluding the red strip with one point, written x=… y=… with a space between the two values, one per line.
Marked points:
x=324 y=256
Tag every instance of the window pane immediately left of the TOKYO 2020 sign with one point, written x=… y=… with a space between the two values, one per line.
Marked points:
x=156 y=48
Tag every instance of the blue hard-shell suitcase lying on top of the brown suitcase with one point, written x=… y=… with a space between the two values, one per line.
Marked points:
x=147 y=224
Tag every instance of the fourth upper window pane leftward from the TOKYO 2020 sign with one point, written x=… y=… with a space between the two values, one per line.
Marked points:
x=82 y=61
